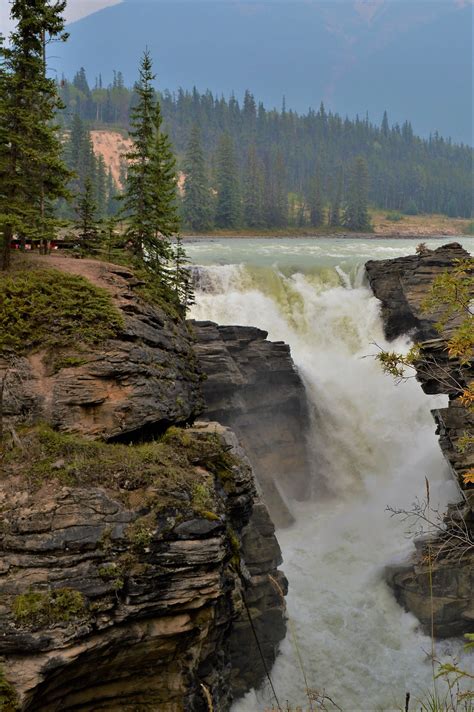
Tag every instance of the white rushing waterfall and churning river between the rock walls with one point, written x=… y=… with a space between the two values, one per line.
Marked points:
x=373 y=442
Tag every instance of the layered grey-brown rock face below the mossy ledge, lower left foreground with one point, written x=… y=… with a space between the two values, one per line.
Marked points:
x=159 y=607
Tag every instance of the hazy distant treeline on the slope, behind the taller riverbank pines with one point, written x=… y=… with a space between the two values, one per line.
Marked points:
x=288 y=157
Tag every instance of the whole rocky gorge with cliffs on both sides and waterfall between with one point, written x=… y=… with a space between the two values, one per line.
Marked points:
x=143 y=479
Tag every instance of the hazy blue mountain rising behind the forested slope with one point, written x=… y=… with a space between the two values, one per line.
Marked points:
x=411 y=58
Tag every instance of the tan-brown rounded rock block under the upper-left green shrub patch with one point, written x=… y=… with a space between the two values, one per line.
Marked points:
x=143 y=380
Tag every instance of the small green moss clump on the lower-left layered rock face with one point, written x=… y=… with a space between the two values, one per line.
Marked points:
x=39 y=608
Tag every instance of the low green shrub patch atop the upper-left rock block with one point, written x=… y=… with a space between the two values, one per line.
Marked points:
x=42 y=309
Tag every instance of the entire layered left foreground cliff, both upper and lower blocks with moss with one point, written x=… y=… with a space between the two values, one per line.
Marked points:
x=132 y=553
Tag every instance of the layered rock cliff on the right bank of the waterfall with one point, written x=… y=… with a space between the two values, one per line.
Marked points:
x=444 y=589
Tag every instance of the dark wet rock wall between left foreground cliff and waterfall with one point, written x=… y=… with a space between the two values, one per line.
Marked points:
x=253 y=387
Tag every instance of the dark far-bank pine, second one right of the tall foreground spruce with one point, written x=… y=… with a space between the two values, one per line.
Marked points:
x=228 y=191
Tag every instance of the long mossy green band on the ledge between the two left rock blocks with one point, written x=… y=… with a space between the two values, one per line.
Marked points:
x=164 y=466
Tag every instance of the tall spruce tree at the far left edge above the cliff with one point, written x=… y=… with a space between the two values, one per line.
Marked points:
x=32 y=172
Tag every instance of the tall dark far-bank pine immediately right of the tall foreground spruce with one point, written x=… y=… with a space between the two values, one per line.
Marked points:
x=197 y=205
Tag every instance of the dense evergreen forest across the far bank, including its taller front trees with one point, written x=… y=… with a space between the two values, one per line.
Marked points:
x=245 y=165
